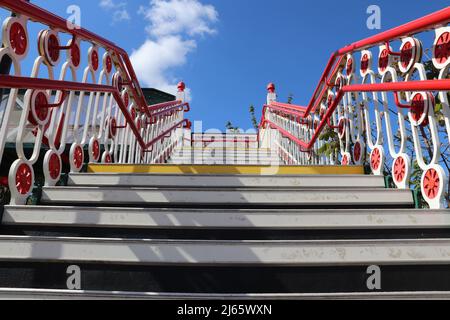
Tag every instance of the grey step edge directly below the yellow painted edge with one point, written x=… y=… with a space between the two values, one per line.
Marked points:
x=230 y=181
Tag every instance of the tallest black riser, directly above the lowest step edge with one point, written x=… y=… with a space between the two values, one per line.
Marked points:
x=224 y=280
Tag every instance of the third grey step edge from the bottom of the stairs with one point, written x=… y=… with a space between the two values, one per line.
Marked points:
x=141 y=218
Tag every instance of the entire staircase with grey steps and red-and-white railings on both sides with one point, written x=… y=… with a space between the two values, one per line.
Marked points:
x=151 y=210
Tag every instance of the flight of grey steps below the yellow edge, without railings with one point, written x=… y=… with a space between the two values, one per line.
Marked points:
x=200 y=236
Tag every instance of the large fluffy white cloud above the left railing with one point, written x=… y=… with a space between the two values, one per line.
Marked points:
x=173 y=26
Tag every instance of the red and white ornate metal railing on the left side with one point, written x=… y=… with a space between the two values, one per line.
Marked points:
x=96 y=99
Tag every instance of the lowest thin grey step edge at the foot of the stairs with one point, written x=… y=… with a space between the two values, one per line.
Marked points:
x=49 y=294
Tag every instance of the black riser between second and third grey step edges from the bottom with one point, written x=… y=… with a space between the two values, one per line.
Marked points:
x=224 y=234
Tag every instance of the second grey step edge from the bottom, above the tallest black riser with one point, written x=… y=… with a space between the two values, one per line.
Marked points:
x=225 y=253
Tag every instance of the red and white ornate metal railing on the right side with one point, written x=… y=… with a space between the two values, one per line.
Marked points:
x=351 y=118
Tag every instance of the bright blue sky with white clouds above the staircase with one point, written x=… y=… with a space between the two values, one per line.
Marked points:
x=227 y=50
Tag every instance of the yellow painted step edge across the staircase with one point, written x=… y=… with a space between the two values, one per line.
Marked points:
x=225 y=169
